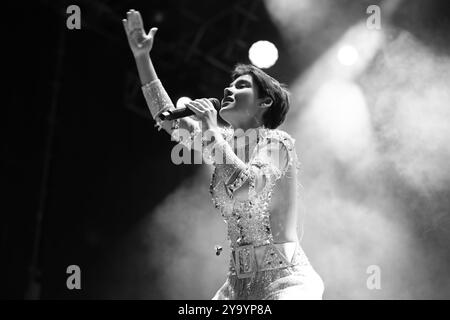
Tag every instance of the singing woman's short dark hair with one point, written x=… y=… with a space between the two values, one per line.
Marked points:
x=267 y=87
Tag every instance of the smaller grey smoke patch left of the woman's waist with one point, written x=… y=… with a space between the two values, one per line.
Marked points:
x=181 y=236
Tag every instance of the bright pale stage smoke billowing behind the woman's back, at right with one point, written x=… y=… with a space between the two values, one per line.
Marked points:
x=379 y=206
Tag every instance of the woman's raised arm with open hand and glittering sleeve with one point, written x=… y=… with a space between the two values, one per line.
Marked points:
x=155 y=95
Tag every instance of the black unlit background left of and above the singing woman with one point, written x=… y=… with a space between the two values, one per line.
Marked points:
x=78 y=143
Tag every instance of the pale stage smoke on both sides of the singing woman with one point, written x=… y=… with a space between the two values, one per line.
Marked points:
x=374 y=207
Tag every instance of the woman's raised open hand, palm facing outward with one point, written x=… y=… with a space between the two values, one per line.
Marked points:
x=140 y=42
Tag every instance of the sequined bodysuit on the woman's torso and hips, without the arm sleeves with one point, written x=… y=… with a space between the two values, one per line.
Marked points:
x=269 y=275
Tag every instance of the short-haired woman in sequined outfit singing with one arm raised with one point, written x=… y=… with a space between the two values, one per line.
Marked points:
x=254 y=184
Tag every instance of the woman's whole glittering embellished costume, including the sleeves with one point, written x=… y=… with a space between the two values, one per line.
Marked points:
x=259 y=268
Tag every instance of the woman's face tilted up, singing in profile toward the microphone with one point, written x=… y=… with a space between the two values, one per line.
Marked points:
x=240 y=102
